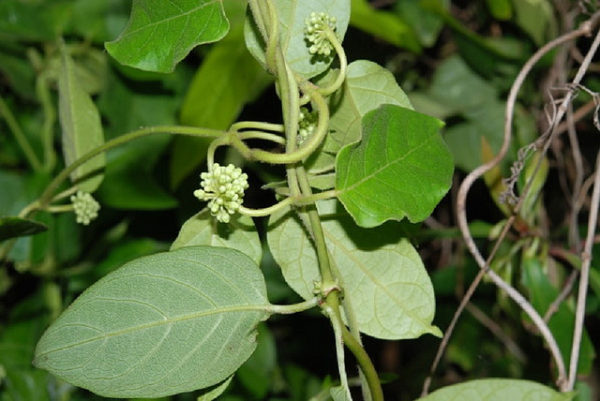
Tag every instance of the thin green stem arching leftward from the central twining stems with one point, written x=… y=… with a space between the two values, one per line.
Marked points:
x=120 y=140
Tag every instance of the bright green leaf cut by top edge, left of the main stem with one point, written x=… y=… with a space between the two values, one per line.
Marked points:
x=160 y=33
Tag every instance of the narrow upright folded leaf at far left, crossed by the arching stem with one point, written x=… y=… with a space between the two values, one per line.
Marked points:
x=81 y=126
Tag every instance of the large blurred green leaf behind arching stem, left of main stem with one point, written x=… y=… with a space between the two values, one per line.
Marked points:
x=227 y=79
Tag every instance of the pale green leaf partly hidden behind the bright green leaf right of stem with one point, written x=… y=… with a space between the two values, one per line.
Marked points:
x=367 y=86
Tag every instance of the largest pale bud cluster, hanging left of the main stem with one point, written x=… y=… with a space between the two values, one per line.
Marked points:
x=223 y=188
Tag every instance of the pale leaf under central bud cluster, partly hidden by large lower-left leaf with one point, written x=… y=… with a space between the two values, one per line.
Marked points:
x=203 y=229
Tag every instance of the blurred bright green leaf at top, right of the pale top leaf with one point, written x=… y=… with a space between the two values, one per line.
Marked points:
x=383 y=25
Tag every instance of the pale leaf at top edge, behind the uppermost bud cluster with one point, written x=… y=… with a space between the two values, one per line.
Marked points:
x=292 y=15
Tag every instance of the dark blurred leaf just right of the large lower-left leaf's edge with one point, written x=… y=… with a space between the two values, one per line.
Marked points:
x=256 y=374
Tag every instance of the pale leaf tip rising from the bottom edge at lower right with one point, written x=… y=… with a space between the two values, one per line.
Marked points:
x=498 y=390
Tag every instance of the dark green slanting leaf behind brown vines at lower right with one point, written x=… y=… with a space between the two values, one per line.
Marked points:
x=541 y=294
